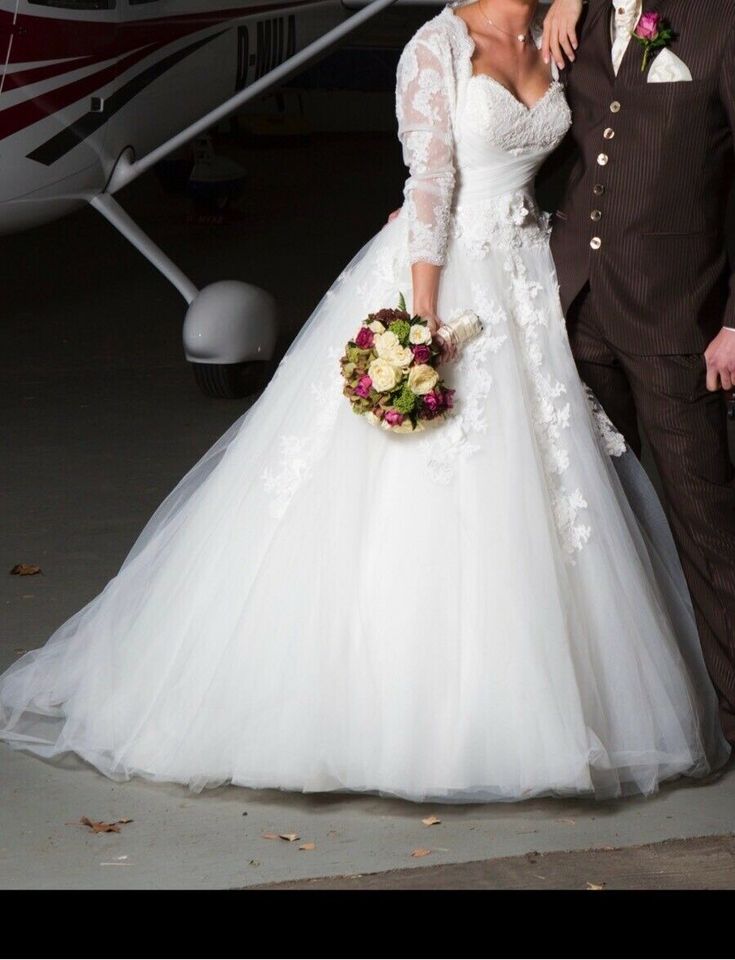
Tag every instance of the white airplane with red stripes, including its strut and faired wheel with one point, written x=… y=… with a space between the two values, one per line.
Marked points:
x=95 y=92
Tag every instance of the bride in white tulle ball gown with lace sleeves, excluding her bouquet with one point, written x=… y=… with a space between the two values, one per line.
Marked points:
x=476 y=612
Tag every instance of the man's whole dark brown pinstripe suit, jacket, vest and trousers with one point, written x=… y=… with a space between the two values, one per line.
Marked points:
x=639 y=247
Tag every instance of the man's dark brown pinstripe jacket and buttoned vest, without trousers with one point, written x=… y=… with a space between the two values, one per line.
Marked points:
x=643 y=214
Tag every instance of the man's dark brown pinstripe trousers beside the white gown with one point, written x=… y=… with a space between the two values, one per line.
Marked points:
x=686 y=428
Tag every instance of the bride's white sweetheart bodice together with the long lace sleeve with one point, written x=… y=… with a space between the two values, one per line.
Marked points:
x=472 y=148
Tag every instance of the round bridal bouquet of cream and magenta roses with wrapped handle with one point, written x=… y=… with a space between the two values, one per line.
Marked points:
x=390 y=368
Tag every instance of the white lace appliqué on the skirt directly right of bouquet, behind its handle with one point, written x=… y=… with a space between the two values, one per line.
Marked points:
x=456 y=438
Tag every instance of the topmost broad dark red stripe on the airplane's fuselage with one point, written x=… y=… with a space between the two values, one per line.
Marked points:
x=46 y=38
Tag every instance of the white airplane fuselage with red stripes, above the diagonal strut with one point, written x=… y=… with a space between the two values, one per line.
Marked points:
x=81 y=81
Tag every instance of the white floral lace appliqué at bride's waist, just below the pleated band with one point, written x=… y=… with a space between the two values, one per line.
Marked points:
x=508 y=222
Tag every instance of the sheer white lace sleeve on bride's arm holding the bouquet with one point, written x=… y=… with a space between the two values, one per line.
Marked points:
x=425 y=131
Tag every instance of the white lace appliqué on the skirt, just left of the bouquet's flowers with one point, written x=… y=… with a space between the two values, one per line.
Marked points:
x=299 y=453
